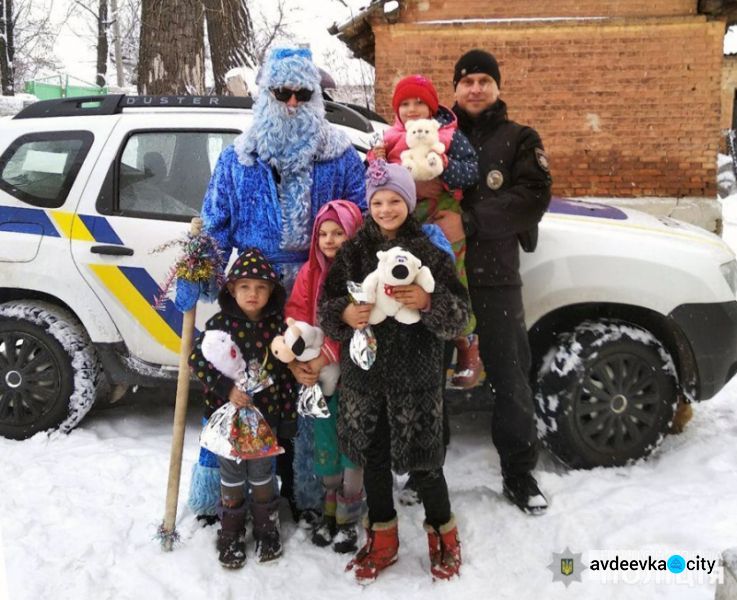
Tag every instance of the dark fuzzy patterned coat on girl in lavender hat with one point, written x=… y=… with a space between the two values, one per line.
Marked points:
x=406 y=379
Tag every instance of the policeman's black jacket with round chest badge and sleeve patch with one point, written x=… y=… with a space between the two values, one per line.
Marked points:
x=511 y=159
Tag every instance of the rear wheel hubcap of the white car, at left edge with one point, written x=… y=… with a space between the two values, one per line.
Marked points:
x=29 y=378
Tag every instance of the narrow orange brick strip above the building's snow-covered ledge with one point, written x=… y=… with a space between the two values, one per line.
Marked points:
x=426 y=10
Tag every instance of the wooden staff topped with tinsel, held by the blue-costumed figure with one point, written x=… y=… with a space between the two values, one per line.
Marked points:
x=197 y=273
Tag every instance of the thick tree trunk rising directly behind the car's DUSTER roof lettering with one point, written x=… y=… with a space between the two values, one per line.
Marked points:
x=171 y=56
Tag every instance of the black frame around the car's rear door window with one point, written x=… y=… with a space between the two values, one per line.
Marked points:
x=108 y=200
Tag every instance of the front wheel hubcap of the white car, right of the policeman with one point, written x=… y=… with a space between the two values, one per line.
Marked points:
x=617 y=404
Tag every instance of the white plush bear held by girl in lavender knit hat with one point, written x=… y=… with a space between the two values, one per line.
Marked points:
x=396 y=266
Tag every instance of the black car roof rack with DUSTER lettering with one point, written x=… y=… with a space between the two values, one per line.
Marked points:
x=338 y=114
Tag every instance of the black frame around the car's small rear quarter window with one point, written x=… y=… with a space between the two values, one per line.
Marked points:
x=85 y=136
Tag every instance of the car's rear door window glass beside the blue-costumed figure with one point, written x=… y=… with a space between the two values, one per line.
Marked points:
x=164 y=174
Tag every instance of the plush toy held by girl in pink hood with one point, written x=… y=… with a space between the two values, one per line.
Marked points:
x=303 y=342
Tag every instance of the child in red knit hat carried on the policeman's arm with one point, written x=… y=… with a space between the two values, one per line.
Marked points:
x=415 y=97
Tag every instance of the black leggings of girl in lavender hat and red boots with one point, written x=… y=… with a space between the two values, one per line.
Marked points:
x=378 y=482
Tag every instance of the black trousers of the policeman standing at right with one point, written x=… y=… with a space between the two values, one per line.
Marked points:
x=505 y=352
